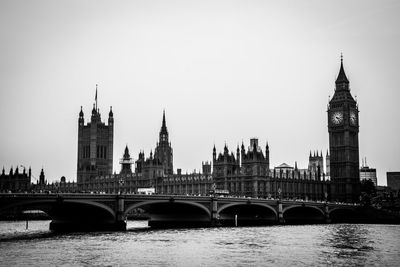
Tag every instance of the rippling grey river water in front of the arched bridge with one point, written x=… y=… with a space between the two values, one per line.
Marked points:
x=302 y=245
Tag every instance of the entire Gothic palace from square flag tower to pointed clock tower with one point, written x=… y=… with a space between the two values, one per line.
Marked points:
x=244 y=171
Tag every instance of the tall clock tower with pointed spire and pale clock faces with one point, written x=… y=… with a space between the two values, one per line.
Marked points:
x=343 y=131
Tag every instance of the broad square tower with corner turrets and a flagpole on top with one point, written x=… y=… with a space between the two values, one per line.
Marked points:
x=95 y=146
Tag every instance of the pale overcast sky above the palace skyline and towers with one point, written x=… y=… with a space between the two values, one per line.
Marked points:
x=224 y=71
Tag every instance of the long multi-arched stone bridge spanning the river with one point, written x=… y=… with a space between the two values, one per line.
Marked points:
x=85 y=212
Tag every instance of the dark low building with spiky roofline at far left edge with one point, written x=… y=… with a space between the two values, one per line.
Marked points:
x=15 y=181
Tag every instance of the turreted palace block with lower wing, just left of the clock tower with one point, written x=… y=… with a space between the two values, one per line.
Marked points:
x=248 y=174
